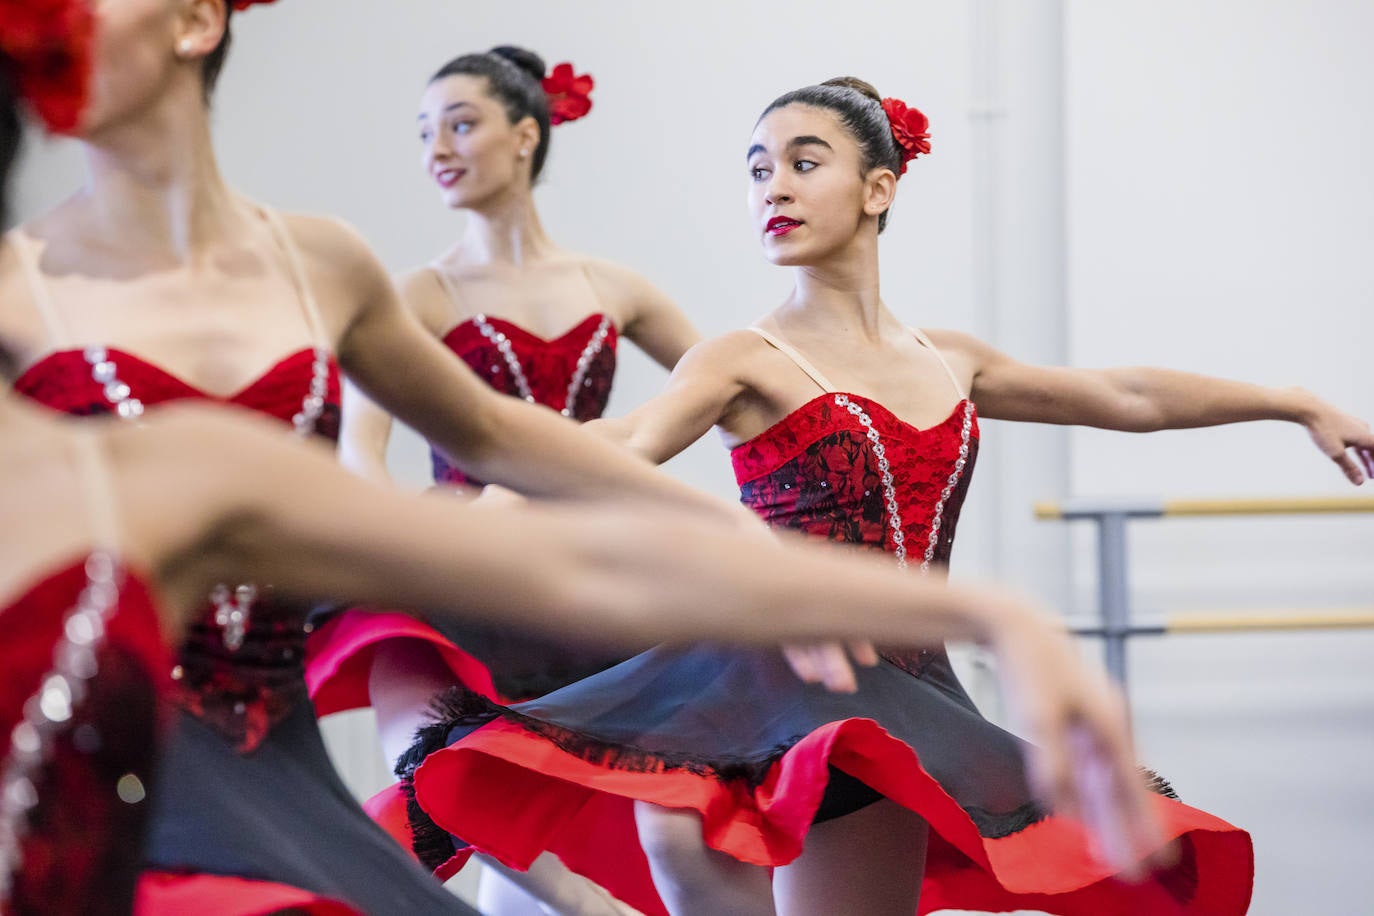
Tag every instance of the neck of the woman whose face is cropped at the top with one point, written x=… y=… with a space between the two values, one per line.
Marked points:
x=156 y=185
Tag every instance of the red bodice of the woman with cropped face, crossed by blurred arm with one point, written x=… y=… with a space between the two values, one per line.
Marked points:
x=243 y=693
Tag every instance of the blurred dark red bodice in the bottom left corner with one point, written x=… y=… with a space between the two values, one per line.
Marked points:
x=83 y=851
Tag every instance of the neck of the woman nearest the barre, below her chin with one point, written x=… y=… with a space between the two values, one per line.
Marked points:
x=840 y=295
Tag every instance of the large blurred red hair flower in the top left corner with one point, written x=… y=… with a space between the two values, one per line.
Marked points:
x=50 y=45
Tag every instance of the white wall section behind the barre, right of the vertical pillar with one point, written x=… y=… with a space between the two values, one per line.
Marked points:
x=1219 y=219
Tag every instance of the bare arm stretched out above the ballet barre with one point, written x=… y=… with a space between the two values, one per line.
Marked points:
x=1145 y=399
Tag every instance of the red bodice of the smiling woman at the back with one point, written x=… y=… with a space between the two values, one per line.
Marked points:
x=550 y=366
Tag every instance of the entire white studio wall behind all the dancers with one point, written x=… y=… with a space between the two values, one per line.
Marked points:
x=1114 y=183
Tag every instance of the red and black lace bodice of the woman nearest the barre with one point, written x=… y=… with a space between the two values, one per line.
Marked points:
x=818 y=472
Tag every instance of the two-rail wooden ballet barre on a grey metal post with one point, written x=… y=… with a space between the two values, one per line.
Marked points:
x=1116 y=626
